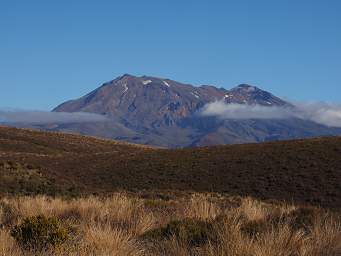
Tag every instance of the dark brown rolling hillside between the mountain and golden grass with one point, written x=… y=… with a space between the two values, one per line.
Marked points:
x=303 y=171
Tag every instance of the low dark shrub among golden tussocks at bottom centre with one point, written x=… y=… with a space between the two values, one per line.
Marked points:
x=191 y=231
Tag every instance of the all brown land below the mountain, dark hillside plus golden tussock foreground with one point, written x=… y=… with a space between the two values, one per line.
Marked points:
x=113 y=198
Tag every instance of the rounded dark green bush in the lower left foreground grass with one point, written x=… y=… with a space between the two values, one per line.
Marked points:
x=40 y=233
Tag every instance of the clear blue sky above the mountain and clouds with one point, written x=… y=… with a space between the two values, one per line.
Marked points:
x=52 y=51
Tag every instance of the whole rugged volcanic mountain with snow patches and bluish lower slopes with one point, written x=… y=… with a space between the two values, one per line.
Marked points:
x=163 y=112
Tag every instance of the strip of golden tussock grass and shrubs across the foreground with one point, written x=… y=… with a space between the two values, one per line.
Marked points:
x=197 y=224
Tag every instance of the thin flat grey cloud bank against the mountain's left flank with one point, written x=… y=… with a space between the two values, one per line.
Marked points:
x=42 y=117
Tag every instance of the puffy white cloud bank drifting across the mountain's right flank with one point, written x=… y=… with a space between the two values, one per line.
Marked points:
x=322 y=113
